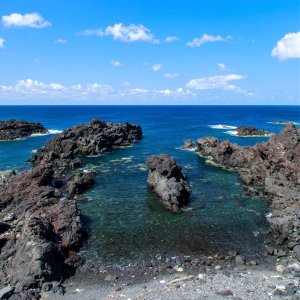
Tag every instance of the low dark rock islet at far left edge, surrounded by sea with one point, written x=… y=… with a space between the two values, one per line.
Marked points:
x=14 y=129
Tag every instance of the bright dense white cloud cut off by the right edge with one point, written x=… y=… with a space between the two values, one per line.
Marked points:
x=287 y=47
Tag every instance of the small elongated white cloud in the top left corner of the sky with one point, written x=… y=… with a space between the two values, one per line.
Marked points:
x=33 y=20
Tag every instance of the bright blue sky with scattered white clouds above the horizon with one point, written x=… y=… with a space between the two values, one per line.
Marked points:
x=156 y=52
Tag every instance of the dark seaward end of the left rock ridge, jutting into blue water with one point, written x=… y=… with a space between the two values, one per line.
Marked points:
x=85 y=140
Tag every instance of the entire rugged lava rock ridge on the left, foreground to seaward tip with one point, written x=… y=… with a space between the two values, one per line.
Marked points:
x=40 y=222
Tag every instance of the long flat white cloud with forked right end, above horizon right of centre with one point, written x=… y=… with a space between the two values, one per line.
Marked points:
x=215 y=82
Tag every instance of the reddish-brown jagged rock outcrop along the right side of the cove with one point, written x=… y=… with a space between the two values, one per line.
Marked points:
x=272 y=167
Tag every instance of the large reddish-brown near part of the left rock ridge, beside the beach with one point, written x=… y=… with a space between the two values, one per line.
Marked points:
x=39 y=239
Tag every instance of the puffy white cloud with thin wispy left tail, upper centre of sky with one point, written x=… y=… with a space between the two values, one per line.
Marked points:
x=127 y=34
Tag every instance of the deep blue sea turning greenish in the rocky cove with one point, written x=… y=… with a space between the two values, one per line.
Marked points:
x=124 y=218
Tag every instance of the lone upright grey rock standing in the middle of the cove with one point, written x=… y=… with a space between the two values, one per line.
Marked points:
x=168 y=182
